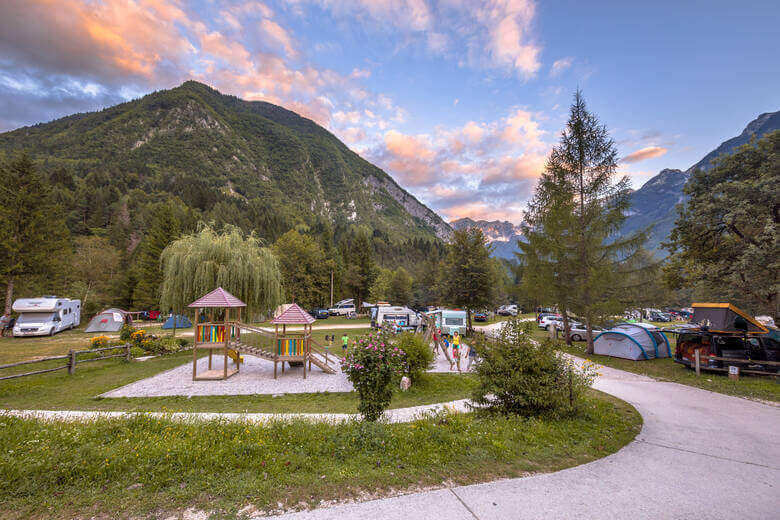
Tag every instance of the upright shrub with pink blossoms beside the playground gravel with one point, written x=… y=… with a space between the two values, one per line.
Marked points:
x=373 y=366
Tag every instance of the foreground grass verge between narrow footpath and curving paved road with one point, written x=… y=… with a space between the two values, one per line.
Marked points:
x=149 y=467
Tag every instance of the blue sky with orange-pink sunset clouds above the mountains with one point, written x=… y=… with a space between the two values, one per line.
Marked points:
x=459 y=100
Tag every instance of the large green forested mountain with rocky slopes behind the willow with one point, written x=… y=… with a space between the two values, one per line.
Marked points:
x=250 y=163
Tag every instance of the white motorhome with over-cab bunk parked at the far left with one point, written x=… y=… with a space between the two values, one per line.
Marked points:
x=46 y=315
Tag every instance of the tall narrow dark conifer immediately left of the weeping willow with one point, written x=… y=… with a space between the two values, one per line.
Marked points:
x=164 y=229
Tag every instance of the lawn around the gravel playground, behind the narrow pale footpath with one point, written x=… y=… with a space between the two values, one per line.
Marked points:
x=59 y=391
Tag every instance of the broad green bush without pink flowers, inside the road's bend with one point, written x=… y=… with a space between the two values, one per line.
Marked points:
x=519 y=375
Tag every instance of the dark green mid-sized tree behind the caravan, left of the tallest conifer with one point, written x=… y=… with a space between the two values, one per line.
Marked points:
x=469 y=274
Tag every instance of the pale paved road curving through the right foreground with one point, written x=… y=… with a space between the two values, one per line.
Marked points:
x=699 y=455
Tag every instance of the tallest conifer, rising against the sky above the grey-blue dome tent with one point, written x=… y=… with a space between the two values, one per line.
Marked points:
x=578 y=211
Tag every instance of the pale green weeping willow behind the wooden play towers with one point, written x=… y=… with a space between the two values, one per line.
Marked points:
x=198 y=263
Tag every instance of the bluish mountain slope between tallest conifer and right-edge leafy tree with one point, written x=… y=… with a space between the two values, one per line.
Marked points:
x=654 y=204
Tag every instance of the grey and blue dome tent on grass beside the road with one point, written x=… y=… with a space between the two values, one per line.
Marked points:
x=633 y=341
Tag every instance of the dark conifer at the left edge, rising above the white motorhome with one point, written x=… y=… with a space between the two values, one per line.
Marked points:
x=34 y=239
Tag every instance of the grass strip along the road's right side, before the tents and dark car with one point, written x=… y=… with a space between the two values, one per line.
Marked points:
x=665 y=369
